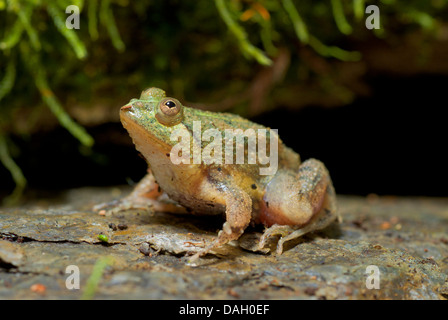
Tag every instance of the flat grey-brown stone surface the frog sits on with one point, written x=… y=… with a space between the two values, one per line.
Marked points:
x=405 y=238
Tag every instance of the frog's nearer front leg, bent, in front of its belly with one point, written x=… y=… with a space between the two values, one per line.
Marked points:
x=238 y=216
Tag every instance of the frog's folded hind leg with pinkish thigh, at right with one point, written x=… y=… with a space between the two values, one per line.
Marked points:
x=296 y=204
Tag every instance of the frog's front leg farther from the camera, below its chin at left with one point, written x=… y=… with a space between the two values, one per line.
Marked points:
x=146 y=194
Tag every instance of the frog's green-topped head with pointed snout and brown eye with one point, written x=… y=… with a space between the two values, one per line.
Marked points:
x=151 y=119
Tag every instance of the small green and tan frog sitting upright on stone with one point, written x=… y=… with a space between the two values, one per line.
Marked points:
x=295 y=199
